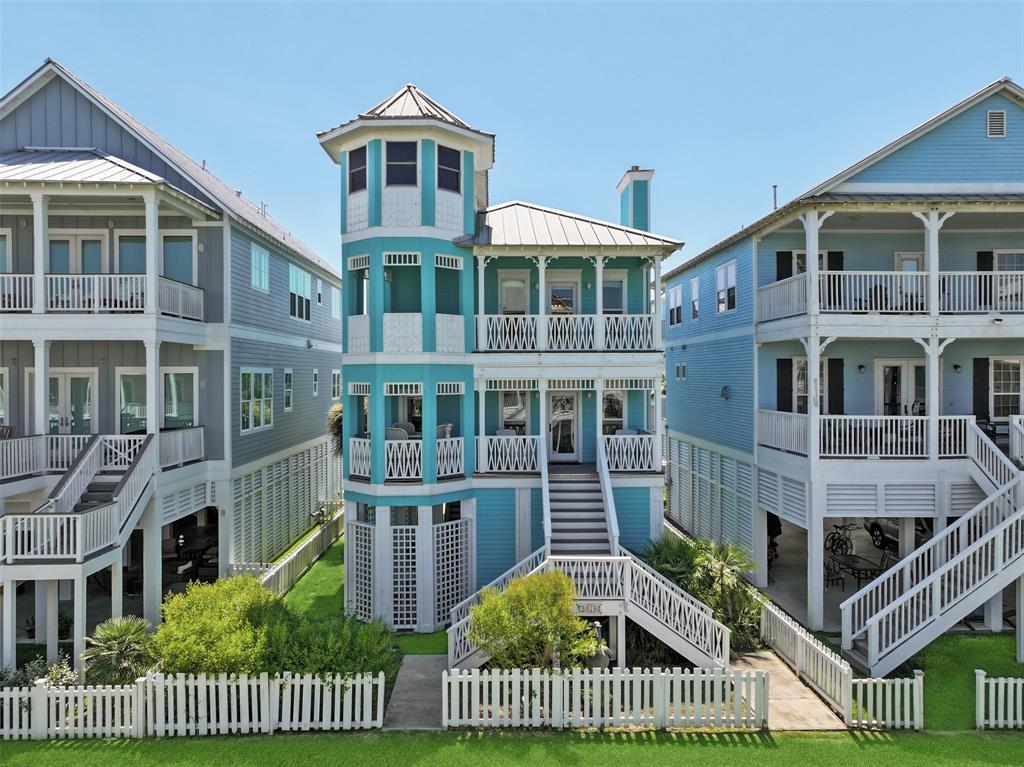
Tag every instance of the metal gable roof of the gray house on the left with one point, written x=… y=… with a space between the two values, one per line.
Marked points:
x=232 y=201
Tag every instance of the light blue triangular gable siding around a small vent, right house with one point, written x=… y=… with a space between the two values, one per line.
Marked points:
x=958 y=152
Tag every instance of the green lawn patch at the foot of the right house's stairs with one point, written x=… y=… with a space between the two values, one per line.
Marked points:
x=949 y=664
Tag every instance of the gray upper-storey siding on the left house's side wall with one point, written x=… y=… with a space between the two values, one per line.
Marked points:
x=270 y=311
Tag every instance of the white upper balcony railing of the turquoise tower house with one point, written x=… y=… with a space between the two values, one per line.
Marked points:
x=568 y=333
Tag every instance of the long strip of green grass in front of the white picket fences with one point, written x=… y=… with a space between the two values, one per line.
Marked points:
x=538 y=750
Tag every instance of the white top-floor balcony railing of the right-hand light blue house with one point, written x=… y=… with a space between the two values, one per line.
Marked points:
x=895 y=293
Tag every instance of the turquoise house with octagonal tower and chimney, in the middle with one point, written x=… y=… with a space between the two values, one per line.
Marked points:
x=499 y=368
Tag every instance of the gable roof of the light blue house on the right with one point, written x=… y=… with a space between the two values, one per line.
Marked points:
x=823 y=193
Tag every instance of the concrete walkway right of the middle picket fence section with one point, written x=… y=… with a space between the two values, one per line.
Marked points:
x=792 y=705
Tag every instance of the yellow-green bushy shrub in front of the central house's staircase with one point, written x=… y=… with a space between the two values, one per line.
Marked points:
x=533 y=625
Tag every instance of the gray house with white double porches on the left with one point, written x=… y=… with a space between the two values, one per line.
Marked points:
x=168 y=356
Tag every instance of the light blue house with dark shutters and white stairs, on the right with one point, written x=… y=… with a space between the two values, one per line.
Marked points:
x=877 y=381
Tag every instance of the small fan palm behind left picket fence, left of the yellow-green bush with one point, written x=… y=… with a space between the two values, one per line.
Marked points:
x=119 y=653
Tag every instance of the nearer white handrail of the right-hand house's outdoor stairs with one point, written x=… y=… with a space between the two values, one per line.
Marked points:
x=935 y=581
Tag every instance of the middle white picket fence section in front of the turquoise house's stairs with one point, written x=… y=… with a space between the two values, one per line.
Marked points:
x=610 y=698
